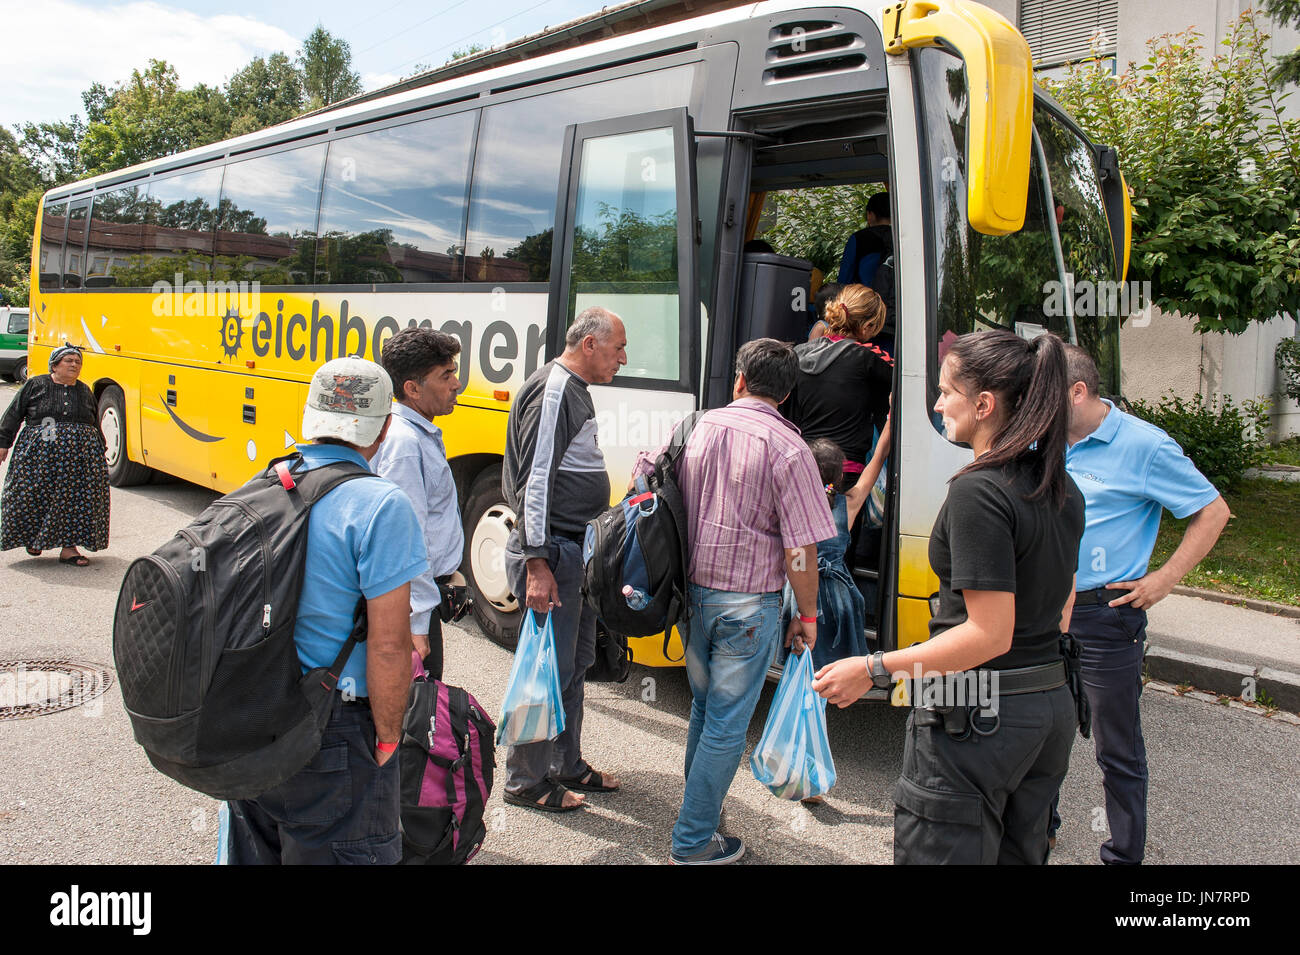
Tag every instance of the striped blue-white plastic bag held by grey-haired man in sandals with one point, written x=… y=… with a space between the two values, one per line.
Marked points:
x=532 y=710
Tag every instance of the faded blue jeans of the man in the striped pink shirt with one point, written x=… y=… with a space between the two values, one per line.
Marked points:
x=733 y=640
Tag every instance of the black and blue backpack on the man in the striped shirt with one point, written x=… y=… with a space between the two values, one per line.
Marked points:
x=636 y=554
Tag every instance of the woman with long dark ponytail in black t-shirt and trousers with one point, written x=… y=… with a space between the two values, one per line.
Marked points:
x=989 y=741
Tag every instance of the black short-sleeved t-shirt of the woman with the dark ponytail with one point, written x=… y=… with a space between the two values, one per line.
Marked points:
x=989 y=537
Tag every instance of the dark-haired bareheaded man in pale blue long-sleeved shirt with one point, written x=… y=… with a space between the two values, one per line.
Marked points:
x=423 y=367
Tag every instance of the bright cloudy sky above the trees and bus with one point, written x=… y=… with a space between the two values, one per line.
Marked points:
x=59 y=47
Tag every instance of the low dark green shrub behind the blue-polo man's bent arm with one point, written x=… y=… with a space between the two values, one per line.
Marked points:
x=1221 y=439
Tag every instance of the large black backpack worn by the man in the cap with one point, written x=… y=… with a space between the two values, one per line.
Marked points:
x=203 y=640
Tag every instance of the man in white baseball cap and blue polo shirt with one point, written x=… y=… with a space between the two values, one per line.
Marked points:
x=363 y=540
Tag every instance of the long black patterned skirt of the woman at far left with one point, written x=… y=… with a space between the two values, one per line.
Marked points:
x=57 y=490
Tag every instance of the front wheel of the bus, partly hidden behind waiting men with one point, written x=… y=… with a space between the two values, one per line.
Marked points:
x=488 y=522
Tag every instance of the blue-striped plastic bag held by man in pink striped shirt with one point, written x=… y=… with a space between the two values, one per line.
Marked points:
x=794 y=756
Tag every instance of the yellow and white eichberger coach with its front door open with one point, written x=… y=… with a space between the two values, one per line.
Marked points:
x=621 y=160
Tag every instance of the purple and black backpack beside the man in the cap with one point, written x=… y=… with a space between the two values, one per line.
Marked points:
x=448 y=759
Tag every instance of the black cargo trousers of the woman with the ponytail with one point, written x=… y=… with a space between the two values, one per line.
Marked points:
x=985 y=800
